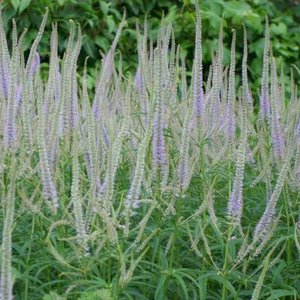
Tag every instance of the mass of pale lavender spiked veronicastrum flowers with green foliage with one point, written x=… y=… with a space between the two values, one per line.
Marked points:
x=147 y=187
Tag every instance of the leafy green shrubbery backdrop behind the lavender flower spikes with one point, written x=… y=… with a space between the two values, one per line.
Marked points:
x=99 y=20
